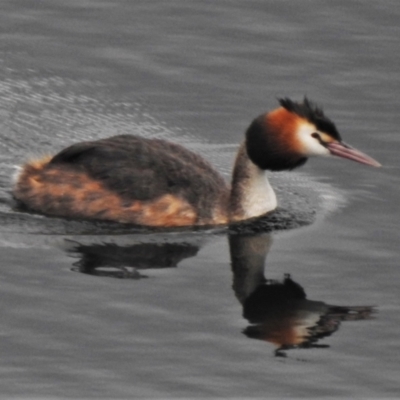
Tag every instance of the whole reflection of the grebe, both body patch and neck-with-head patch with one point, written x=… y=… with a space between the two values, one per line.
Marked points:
x=277 y=311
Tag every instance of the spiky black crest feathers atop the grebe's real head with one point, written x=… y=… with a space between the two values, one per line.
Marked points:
x=312 y=113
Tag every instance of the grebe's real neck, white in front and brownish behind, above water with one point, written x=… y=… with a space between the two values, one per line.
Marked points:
x=251 y=193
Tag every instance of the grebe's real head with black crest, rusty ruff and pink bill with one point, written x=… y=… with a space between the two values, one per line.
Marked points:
x=286 y=137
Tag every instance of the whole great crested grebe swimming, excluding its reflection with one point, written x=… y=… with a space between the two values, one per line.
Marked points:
x=153 y=182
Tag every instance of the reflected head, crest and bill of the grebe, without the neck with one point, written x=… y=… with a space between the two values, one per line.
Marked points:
x=280 y=313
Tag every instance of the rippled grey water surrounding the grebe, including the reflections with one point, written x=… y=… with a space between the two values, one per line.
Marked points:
x=103 y=311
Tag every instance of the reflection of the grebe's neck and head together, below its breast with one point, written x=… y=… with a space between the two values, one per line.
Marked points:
x=279 y=311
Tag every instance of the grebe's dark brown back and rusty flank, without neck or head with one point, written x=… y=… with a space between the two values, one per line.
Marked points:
x=100 y=180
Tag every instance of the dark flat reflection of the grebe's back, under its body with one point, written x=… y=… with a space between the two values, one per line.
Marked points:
x=110 y=259
